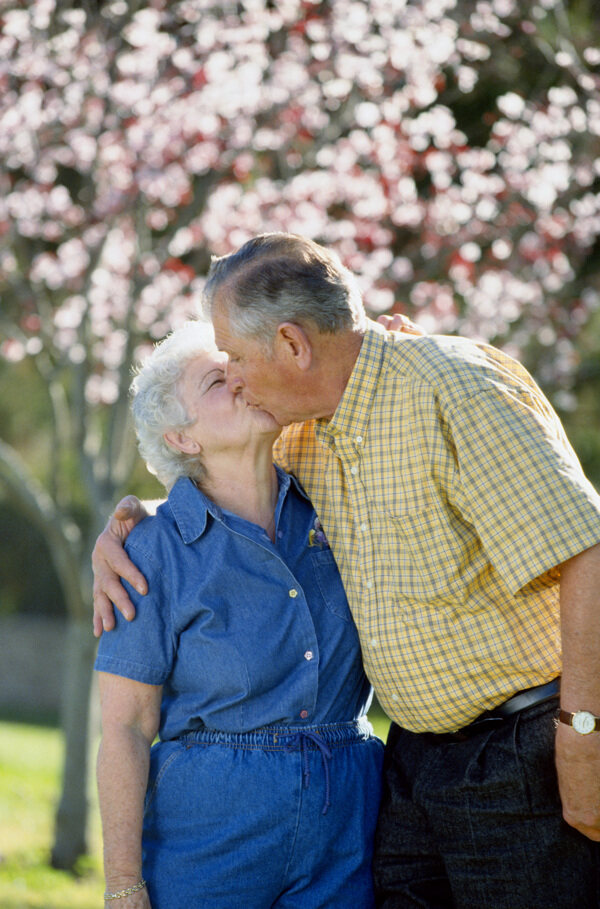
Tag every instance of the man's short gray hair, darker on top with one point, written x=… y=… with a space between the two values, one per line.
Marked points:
x=281 y=277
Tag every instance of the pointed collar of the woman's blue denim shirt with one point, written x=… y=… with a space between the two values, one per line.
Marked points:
x=191 y=507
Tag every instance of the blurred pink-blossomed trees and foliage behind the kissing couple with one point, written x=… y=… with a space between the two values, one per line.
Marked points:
x=449 y=150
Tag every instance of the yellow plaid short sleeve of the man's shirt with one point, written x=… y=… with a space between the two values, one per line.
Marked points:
x=521 y=484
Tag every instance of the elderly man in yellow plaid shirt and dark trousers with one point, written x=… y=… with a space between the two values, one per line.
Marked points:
x=468 y=540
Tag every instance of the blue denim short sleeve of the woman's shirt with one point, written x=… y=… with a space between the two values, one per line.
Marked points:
x=143 y=649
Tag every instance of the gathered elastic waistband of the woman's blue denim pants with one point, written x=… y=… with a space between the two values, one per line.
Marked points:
x=279 y=738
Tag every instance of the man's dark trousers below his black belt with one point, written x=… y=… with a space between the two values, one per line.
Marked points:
x=477 y=824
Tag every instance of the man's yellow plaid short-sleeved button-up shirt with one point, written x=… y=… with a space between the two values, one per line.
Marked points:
x=449 y=494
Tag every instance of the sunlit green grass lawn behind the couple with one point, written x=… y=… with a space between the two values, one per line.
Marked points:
x=30 y=767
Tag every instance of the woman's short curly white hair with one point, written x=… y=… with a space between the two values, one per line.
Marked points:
x=157 y=407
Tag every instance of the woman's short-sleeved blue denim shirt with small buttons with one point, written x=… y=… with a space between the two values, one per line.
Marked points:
x=242 y=633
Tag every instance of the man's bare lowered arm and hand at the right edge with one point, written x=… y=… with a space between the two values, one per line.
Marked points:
x=578 y=756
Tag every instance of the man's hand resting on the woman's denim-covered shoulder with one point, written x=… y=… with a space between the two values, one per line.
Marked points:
x=110 y=563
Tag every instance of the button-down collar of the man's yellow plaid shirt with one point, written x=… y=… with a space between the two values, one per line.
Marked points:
x=353 y=411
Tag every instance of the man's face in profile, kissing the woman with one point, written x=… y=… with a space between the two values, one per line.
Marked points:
x=263 y=380
